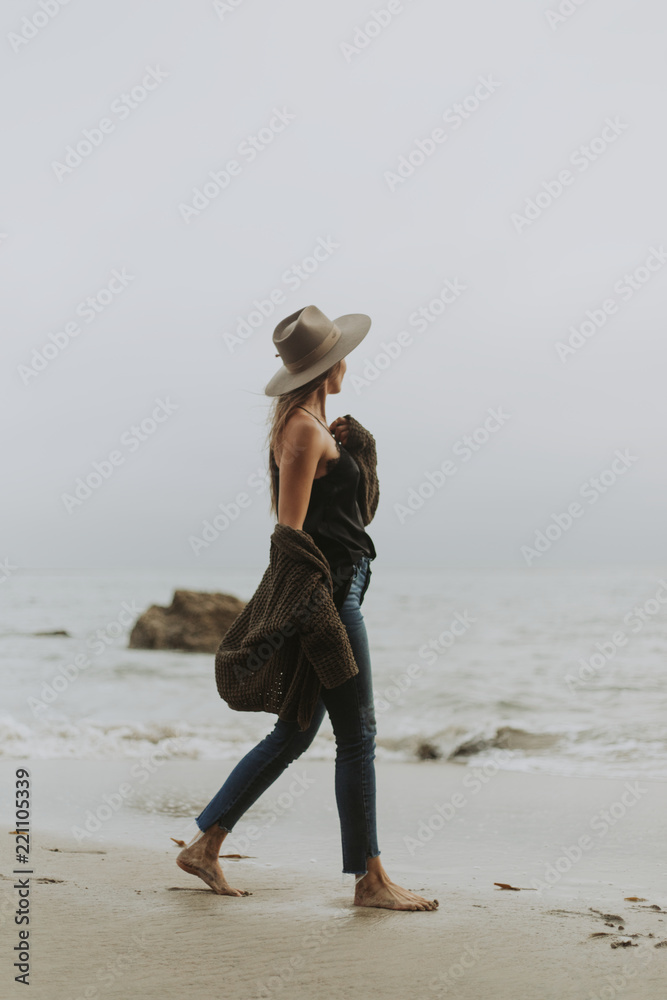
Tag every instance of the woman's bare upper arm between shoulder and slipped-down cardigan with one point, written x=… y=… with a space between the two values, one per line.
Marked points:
x=301 y=453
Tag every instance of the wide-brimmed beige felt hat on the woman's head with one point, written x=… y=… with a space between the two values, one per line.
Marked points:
x=309 y=343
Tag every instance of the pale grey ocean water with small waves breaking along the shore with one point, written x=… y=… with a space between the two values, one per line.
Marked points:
x=536 y=670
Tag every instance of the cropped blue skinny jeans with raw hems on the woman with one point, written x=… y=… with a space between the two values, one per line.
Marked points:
x=352 y=713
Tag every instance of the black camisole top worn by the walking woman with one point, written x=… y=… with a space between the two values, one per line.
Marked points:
x=334 y=521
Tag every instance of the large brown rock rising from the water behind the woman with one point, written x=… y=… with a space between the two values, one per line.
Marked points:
x=194 y=622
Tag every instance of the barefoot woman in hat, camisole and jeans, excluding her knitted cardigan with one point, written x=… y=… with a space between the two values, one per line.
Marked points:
x=315 y=488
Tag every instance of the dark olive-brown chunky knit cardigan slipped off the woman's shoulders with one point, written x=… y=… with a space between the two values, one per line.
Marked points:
x=289 y=640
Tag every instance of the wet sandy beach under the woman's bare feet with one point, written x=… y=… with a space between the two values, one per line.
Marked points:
x=113 y=917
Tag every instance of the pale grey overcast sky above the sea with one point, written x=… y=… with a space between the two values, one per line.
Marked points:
x=499 y=167
